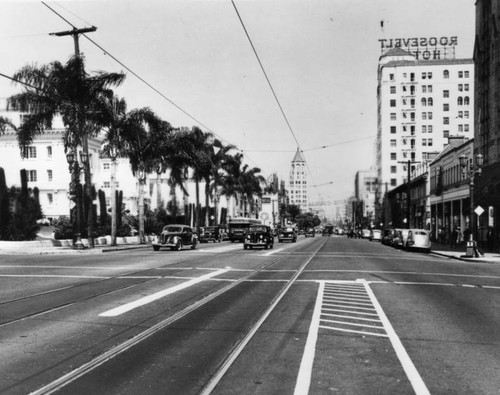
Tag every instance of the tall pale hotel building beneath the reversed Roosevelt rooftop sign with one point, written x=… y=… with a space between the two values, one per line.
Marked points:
x=420 y=104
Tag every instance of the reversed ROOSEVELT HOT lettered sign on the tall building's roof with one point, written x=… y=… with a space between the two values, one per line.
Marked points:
x=425 y=48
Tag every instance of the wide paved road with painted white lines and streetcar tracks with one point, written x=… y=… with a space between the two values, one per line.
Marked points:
x=323 y=315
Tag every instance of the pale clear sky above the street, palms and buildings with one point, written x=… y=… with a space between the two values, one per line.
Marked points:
x=320 y=57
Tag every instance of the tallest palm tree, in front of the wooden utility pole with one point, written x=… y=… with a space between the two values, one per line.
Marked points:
x=64 y=90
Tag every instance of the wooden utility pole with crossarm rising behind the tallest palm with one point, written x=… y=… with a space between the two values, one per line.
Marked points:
x=85 y=144
